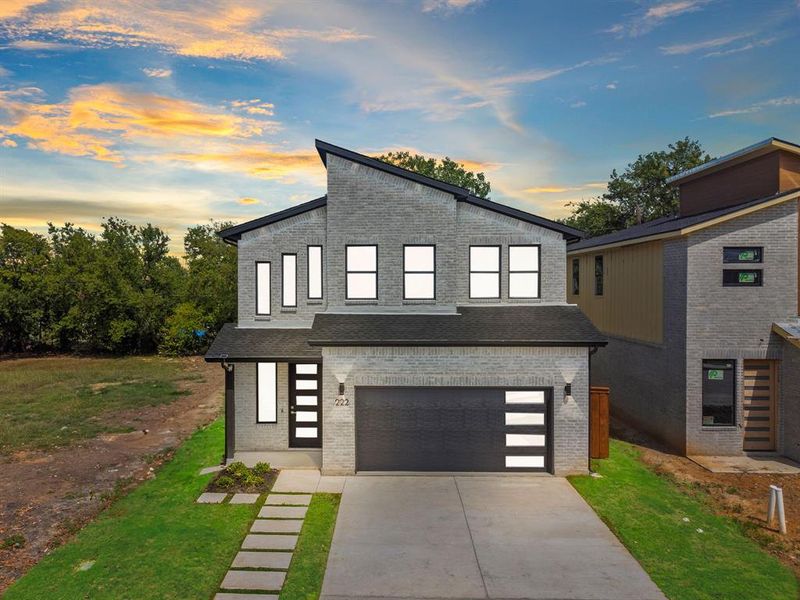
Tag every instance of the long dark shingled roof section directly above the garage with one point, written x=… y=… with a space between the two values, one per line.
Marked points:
x=534 y=325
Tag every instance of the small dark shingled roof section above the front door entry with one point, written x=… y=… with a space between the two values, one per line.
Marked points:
x=247 y=344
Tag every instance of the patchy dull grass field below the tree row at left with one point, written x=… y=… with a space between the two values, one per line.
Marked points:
x=48 y=402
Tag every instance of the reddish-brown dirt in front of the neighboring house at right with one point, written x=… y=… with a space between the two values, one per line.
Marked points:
x=740 y=496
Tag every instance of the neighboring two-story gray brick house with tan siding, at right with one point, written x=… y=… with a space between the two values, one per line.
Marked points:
x=701 y=308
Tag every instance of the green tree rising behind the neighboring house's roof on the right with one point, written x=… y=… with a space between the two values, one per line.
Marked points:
x=641 y=193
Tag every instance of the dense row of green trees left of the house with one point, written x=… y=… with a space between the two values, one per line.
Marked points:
x=119 y=291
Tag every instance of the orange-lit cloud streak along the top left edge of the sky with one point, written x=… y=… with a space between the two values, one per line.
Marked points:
x=226 y=29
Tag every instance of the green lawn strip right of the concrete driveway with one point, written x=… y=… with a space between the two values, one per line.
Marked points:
x=660 y=526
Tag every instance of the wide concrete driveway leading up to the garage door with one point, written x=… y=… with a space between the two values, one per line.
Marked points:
x=476 y=537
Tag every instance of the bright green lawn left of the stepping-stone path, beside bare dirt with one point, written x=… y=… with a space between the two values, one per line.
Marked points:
x=155 y=542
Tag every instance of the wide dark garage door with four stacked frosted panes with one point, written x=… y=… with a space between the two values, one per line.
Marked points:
x=453 y=429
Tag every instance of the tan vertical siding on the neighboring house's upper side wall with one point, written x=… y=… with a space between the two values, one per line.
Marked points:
x=632 y=302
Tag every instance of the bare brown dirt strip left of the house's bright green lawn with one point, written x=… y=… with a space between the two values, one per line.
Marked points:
x=46 y=497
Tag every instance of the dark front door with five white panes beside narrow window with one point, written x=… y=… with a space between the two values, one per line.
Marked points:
x=305 y=405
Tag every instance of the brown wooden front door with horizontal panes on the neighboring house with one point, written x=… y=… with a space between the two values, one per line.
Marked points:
x=760 y=392
